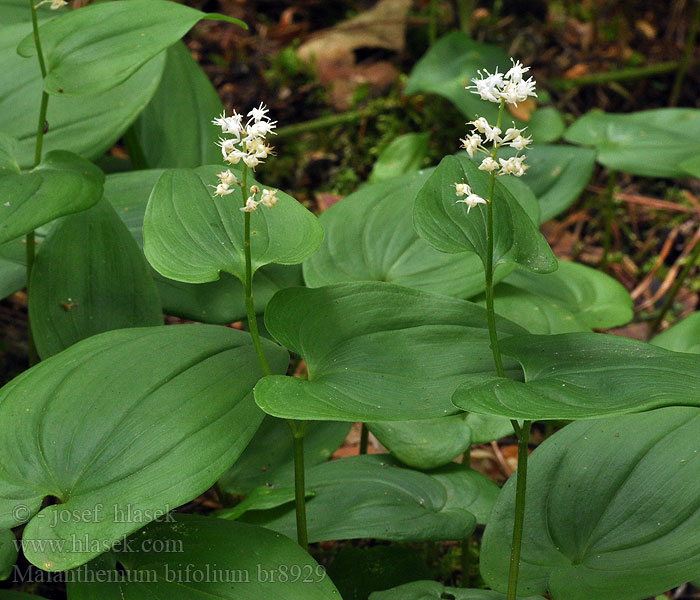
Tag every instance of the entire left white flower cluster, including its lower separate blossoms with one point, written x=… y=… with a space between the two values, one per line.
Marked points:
x=247 y=145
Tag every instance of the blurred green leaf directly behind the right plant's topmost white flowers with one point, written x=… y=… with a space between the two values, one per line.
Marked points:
x=450 y=65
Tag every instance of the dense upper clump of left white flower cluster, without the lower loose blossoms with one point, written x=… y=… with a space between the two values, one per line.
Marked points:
x=248 y=142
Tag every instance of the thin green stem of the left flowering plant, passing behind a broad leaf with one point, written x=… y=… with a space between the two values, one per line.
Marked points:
x=298 y=427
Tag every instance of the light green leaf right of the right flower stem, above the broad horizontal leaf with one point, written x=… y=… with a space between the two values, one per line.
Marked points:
x=573 y=298
